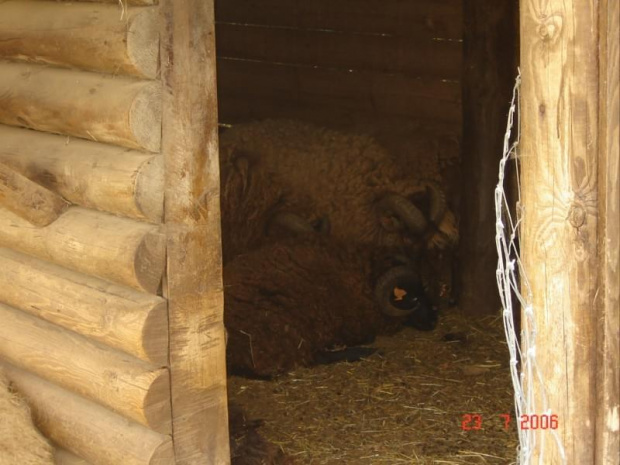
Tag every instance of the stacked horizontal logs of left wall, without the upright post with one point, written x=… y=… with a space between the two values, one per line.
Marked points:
x=84 y=333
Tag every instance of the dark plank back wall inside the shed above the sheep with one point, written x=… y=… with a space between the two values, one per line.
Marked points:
x=335 y=60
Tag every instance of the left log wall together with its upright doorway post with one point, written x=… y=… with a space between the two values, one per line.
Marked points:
x=85 y=328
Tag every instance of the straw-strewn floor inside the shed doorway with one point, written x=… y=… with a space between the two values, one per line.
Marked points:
x=403 y=405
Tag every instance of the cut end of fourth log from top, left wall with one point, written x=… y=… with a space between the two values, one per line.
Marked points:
x=150 y=261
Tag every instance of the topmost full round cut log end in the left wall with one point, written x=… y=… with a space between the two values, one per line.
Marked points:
x=143 y=43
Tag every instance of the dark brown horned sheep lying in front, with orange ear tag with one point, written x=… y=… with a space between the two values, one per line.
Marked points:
x=288 y=303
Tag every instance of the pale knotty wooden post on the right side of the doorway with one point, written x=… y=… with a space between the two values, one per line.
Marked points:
x=565 y=233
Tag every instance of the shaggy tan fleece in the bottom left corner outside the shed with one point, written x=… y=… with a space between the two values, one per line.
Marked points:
x=20 y=442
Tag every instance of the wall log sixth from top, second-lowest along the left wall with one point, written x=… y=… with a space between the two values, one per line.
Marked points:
x=133 y=388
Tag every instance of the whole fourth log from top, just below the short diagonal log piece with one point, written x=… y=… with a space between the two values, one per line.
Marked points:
x=123 y=251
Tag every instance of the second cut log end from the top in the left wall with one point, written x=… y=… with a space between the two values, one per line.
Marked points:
x=145 y=117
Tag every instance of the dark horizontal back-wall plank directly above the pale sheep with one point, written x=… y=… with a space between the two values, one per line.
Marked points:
x=271 y=84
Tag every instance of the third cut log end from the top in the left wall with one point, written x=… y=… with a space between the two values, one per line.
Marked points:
x=150 y=189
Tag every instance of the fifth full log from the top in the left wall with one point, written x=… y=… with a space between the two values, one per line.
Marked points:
x=135 y=322
